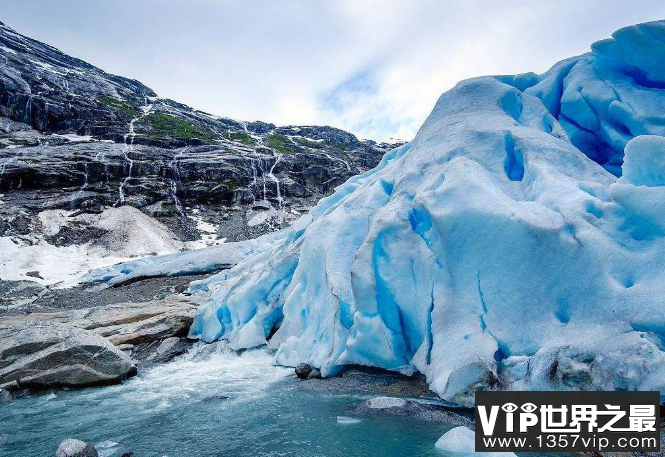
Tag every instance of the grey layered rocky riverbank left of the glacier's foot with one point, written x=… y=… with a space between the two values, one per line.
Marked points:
x=86 y=336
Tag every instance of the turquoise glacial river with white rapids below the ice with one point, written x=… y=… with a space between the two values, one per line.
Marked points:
x=177 y=409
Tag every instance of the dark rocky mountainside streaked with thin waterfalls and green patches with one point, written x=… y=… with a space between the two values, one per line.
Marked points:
x=78 y=140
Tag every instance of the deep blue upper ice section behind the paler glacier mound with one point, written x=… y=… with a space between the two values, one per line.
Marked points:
x=613 y=94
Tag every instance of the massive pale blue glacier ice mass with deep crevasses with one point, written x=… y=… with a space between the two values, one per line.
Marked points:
x=499 y=249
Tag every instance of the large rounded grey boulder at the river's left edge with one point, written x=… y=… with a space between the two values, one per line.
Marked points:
x=40 y=356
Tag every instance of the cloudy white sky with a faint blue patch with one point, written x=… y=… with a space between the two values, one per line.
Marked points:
x=374 y=68
